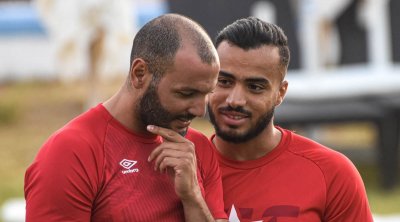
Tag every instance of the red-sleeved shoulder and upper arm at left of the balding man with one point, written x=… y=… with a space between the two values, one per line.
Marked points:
x=69 y=168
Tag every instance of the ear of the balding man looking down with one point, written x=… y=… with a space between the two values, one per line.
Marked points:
x=139 y=73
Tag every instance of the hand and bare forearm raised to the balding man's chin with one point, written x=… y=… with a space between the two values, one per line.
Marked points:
x=176 y=156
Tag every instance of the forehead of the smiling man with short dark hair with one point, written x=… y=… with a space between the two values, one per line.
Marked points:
x=263 y=61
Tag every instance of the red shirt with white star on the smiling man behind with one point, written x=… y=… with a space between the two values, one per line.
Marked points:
x=299 y=180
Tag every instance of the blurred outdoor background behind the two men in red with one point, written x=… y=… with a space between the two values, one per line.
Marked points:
x=58 y=58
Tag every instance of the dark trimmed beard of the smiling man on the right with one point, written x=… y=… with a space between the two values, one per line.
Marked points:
x=233 y=137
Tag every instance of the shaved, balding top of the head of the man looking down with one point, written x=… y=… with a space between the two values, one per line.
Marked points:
x=158 y=41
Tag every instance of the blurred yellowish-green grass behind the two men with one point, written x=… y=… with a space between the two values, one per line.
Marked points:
x=30 y=112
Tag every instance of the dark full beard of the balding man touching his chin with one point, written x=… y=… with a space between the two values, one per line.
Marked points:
x=152 y=112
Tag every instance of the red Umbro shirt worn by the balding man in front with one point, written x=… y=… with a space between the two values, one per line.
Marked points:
x=94 y=169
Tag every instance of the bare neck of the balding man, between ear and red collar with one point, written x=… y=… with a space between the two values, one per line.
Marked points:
x=122 y=107
